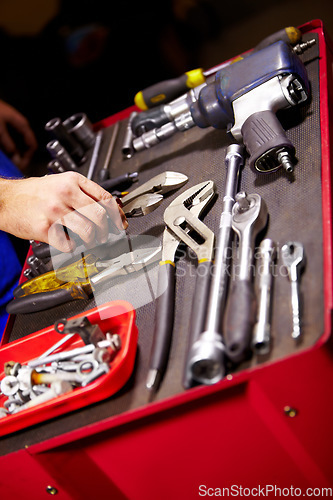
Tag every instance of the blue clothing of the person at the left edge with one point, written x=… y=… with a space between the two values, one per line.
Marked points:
x=10 y=266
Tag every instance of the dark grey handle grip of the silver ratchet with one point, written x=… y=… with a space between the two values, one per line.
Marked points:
x=240 y=320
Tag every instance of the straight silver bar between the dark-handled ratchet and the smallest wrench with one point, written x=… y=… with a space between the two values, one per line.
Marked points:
x=262 y=329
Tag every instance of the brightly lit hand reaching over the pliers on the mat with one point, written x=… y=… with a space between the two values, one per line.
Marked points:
x=38 y=208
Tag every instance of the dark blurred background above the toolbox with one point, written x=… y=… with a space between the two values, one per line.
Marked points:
x=66 y=56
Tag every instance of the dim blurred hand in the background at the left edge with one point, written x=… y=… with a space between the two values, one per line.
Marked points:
x=9 y=116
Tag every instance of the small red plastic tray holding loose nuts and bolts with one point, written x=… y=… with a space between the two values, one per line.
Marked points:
x=116 y=317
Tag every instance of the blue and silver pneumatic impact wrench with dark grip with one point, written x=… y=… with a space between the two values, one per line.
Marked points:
x=243 y=99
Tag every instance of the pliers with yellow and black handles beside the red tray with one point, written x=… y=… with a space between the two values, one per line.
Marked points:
x=78 y=280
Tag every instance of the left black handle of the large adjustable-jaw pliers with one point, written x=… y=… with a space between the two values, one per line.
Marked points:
x=164 y=317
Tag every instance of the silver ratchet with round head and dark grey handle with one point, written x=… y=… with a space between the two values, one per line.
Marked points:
x=249 y=217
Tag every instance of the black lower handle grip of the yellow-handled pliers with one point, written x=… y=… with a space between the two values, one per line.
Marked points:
x=40 y=301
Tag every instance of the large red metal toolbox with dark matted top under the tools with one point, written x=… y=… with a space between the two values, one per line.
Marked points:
x=265 y=429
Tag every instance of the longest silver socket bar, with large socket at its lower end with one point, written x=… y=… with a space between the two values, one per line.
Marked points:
x=205 y=361
